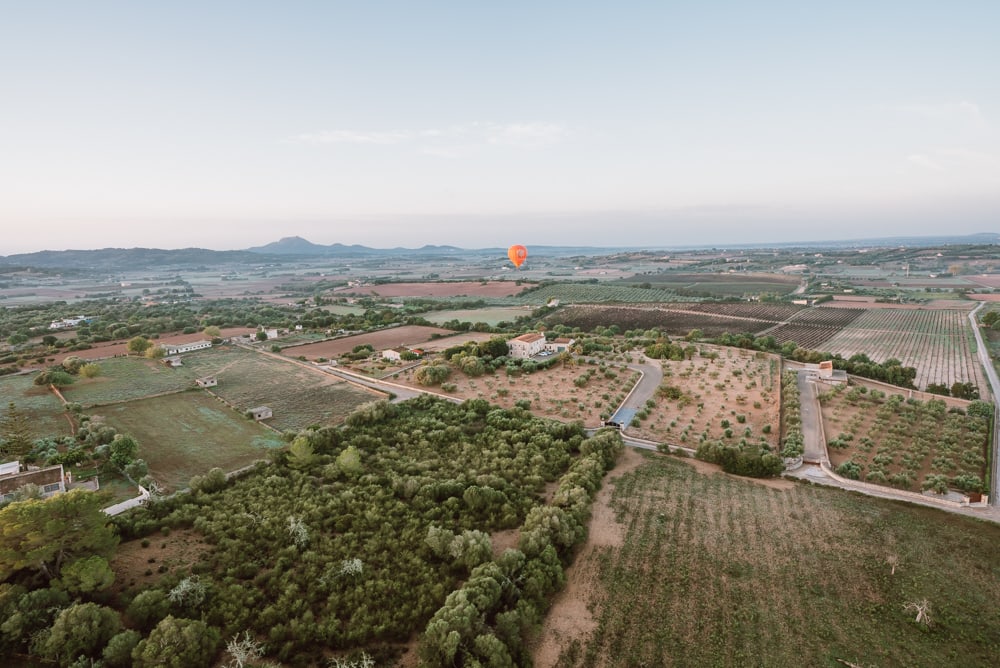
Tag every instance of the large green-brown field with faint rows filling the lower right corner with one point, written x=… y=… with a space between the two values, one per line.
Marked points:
x=720 y=571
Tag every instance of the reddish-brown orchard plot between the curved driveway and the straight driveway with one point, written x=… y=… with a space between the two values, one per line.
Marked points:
x=724 y=394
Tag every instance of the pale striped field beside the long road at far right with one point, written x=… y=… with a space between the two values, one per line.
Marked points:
x=935 y=342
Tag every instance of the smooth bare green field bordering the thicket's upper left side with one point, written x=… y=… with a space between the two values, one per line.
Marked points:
x=185 y=434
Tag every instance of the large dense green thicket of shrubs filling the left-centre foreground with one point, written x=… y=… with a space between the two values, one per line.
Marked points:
x=356 y=536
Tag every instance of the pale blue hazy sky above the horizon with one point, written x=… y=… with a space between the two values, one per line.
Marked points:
x=480 y=124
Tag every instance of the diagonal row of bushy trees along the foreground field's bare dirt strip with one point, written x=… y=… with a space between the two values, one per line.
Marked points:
x=484 y=623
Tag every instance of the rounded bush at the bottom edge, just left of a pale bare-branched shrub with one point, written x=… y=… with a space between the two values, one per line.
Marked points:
x=177 y=643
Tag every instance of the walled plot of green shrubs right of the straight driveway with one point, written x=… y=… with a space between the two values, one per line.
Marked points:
x=906 y=444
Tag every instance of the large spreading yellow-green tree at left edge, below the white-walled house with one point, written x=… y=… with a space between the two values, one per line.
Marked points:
x=44 y=534
